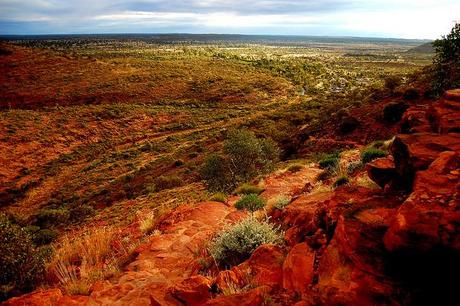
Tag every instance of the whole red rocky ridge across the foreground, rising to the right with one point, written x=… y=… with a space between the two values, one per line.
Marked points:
x=398 y=245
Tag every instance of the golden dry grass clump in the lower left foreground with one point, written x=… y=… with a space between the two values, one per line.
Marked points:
x=81 y=261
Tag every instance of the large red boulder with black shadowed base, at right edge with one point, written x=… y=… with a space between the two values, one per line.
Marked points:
x=423 y=241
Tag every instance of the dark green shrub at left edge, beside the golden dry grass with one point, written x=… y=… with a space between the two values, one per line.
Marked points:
x=21 y=264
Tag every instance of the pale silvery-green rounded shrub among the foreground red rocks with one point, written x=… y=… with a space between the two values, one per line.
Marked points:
x=237 y=242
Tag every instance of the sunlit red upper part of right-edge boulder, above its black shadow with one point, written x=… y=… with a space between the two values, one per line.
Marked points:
x=430 y=216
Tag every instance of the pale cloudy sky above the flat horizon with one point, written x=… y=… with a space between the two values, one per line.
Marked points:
x=420 y=19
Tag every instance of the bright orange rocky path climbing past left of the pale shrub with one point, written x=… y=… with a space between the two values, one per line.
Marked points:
x=167 y=259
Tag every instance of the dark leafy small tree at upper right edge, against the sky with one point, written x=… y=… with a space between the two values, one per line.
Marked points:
x=447 y=61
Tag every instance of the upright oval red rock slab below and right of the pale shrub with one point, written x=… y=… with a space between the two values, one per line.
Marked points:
x=298 y=269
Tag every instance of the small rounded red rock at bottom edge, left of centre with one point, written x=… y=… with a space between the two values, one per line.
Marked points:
x=193 y=291
